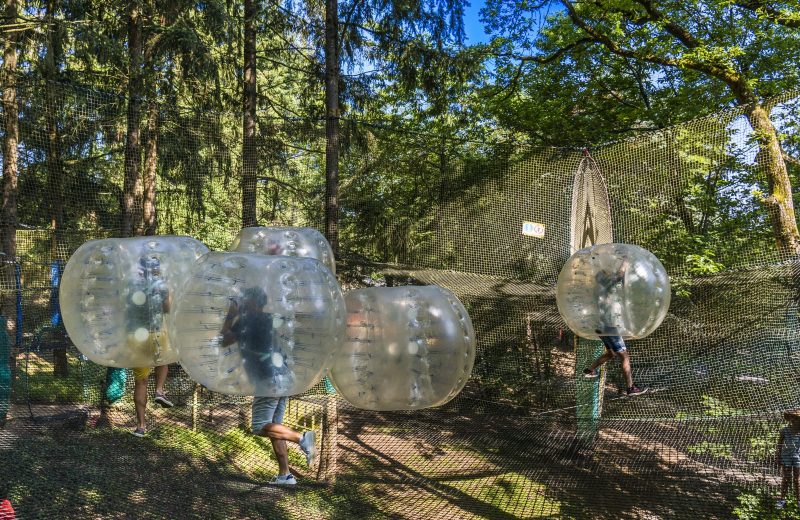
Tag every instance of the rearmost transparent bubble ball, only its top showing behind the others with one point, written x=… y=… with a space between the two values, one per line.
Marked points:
x=285 y=241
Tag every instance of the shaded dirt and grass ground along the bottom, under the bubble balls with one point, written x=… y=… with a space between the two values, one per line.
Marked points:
x=388 y=465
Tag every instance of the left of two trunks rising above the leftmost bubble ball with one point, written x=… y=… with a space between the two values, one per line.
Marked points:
x=133 y=154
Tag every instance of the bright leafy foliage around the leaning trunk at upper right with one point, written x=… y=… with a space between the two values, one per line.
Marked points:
x=573 y=73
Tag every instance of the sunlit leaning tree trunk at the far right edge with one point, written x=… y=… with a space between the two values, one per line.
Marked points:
x=779 y=203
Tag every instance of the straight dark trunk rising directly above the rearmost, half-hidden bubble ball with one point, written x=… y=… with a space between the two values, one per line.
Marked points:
x=249 y=152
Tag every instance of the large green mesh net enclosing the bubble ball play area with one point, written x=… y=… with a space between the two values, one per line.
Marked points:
x=415 y=209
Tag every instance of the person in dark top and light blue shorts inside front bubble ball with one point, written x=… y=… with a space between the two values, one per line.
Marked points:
x=251 y=326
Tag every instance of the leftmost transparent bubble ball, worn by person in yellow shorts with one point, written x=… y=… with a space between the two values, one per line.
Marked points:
x=117 y=295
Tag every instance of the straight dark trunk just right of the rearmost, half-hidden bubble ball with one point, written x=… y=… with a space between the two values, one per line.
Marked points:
x=332 y=124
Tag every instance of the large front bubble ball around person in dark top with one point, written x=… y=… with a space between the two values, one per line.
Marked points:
x=250 y=324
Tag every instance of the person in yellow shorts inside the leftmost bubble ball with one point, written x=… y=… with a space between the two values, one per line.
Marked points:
x=149 y=301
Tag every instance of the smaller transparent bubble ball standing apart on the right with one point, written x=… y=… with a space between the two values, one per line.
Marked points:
x=613 y=290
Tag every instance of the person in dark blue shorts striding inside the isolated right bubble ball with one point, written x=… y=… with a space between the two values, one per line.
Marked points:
x=609 y=282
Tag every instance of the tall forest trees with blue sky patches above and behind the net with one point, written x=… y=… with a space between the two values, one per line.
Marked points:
x=358 y=117
